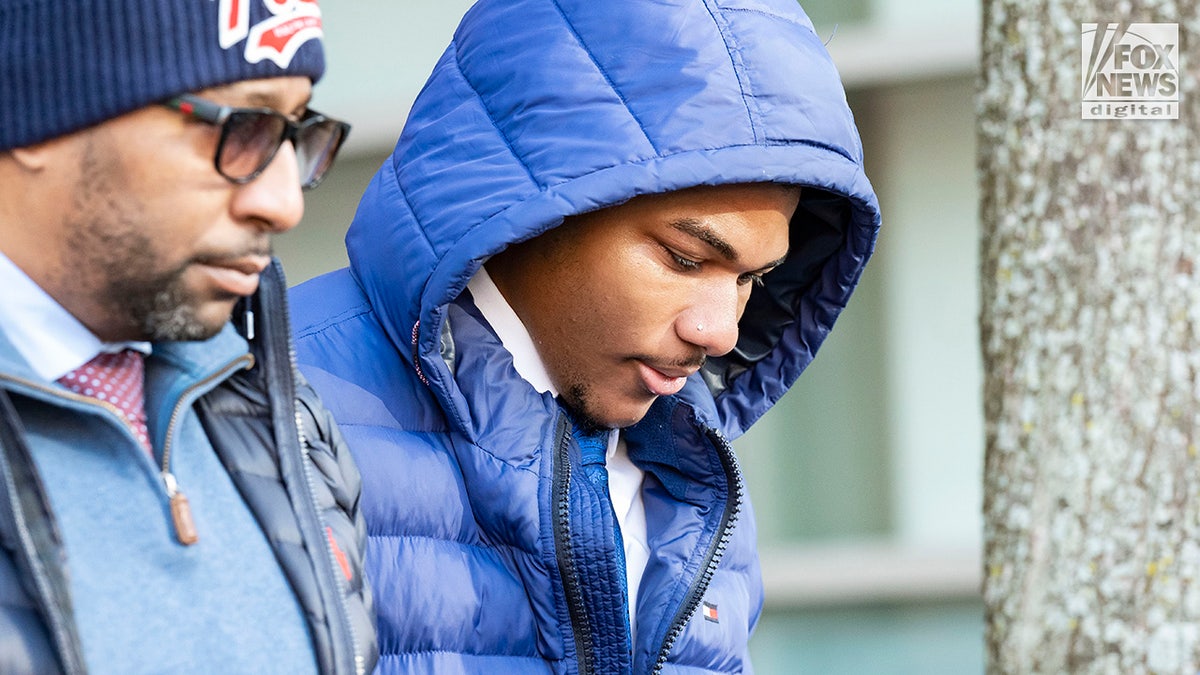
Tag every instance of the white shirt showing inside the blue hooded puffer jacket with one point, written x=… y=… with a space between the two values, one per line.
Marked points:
x=625 y=477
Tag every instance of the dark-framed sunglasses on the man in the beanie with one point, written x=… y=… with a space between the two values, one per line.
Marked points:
x=250 y=138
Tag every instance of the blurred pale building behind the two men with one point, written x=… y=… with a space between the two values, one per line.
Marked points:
x=867 y=477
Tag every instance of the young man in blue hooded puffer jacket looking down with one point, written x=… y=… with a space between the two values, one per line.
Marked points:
x=670 y=201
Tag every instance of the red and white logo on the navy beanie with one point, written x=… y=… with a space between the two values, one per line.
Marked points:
x=278 y=38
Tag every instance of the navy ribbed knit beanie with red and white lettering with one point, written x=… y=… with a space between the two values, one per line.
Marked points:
x=70 y=64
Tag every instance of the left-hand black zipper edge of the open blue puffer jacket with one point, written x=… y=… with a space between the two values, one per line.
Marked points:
x=580 y=626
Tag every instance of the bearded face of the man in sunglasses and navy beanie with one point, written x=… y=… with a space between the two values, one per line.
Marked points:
x=146 y=240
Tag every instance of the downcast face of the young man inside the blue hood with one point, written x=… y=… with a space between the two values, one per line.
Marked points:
x=625 y=303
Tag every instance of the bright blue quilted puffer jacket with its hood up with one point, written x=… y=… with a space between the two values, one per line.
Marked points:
x=541 y=110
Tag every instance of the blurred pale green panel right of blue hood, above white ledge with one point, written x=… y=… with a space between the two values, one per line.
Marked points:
x=818 y=464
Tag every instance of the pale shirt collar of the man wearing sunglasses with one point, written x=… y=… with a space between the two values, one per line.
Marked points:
x=51 y=341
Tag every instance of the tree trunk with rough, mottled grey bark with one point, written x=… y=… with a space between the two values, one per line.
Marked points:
x=1091 y=341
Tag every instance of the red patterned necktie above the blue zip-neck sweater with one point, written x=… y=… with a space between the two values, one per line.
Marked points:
x=117 y=379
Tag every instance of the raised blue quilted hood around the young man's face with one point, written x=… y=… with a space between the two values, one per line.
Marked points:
x=541 y=110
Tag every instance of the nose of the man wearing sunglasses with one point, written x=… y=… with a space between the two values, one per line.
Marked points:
x=274 y=199
